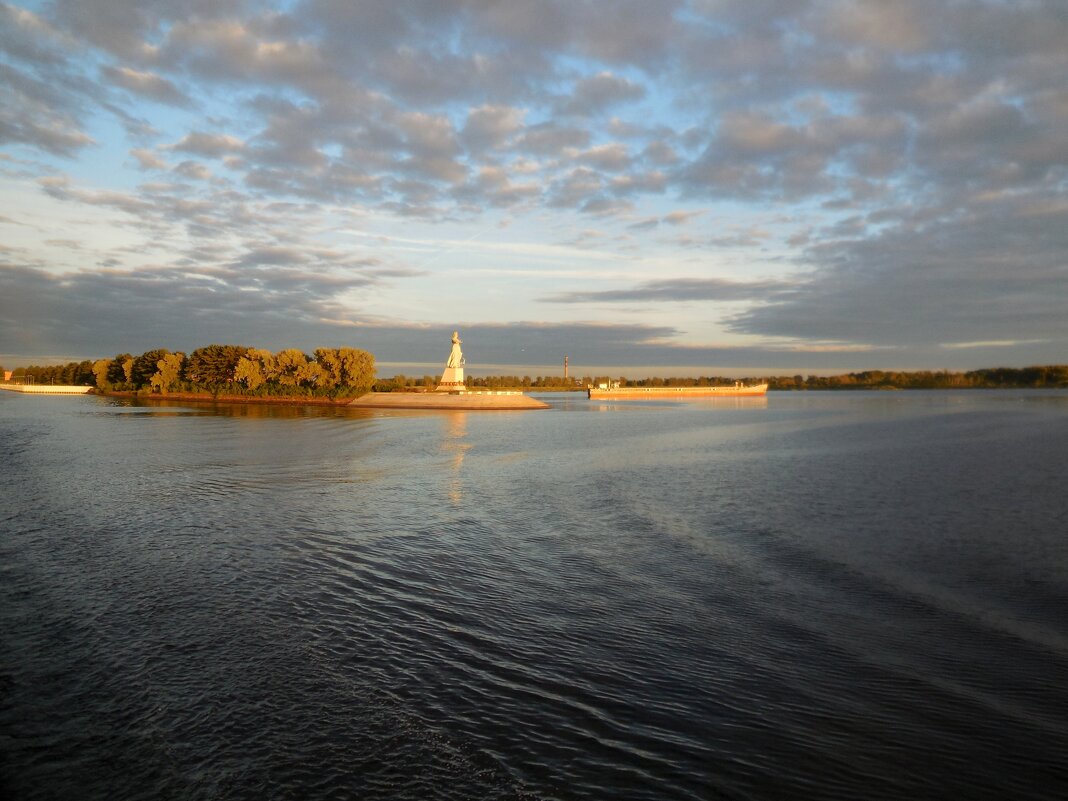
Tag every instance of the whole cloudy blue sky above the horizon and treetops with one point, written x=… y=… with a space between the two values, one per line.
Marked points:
x=713 y=187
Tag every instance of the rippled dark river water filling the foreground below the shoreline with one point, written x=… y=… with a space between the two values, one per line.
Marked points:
x=821 y=596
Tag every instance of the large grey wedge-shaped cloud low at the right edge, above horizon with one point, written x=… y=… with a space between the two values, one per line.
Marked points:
x=997 y=273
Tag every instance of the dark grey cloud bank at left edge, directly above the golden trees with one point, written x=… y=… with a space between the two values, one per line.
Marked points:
x=264 y=296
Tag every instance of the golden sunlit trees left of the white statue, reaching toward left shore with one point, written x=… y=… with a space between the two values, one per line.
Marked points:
x=230 y=370
